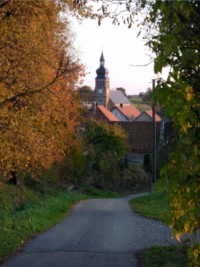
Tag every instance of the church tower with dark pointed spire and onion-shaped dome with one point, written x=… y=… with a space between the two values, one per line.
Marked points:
x=102 y=84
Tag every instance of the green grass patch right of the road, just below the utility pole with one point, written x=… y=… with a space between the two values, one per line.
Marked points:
x=154 y=205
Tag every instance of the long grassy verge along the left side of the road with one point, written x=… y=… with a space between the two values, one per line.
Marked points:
x=25 y=212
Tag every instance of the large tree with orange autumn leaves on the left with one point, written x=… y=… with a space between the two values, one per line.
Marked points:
x=38 y=71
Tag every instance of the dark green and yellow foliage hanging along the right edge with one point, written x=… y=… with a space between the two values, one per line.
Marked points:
x=177 y=45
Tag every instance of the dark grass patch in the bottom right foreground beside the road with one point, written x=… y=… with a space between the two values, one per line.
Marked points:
x=165 y=257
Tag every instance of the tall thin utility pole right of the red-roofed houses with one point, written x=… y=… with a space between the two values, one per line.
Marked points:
x=154 y=137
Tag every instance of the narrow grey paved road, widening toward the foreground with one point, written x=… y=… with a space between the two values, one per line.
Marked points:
x=97 y=233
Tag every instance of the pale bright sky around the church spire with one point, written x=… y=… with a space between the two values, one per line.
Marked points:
x=122 y=49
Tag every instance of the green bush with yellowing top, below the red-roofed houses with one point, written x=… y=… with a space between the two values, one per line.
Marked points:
x=105 y=149
